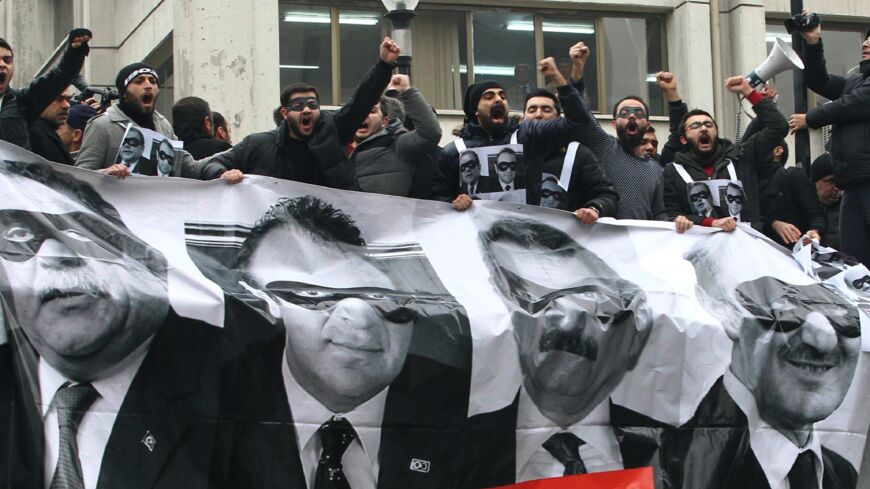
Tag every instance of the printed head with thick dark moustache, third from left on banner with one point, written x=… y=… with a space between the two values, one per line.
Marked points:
x=568 y=309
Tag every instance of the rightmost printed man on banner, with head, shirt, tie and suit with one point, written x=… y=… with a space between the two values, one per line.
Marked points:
x=796 y=347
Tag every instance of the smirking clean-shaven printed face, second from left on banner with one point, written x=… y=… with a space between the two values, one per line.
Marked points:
x=348 y=329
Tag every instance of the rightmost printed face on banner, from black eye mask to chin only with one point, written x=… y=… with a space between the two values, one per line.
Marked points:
x=804 y=343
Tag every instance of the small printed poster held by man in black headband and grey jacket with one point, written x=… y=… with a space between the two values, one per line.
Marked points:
x=147 y=152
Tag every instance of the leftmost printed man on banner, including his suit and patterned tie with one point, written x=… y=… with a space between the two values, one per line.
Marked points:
x=110 y=384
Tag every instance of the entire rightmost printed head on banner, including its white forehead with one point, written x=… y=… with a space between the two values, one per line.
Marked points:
x=796 y=345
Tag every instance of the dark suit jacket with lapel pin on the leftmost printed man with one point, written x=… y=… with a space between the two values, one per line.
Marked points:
x=174 y=397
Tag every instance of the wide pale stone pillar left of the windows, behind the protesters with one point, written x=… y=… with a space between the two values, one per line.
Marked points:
x=226 y=52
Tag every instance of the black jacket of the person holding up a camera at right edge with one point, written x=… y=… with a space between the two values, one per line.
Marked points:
x=848 y=113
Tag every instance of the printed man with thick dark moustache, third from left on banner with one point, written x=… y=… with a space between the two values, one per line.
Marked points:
x=579 y=328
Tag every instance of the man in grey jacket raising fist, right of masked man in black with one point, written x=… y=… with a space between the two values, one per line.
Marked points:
x=384 y=154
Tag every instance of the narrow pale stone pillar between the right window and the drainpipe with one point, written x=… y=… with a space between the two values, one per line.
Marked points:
x=689 y=53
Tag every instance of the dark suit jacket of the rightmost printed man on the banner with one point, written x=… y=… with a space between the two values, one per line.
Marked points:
x=712 y=451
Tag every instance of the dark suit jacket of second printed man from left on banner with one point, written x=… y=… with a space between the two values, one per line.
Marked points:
x=423 y=408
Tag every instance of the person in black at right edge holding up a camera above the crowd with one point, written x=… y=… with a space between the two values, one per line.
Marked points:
x=850 y=137
